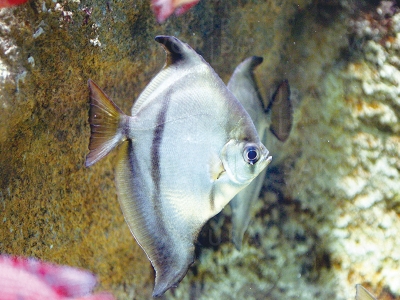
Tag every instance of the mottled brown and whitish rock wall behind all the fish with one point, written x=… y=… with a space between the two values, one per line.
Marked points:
x=329 y=213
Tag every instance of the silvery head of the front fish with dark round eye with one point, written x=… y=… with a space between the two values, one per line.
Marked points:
x=244 y=160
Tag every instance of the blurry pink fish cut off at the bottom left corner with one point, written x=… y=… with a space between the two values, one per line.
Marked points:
x=33 y=279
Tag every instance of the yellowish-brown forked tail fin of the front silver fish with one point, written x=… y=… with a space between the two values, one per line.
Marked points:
x=106 y=124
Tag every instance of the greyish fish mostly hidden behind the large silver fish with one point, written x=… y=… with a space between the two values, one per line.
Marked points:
x=277 y=116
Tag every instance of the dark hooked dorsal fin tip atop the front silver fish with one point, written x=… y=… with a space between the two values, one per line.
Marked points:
x=176 y=50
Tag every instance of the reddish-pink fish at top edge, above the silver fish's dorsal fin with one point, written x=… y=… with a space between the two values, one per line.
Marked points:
x=165 y=8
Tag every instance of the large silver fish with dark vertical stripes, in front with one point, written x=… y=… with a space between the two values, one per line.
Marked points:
x=185 y=151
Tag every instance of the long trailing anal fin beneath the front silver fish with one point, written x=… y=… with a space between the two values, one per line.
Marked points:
x=169 y=249
